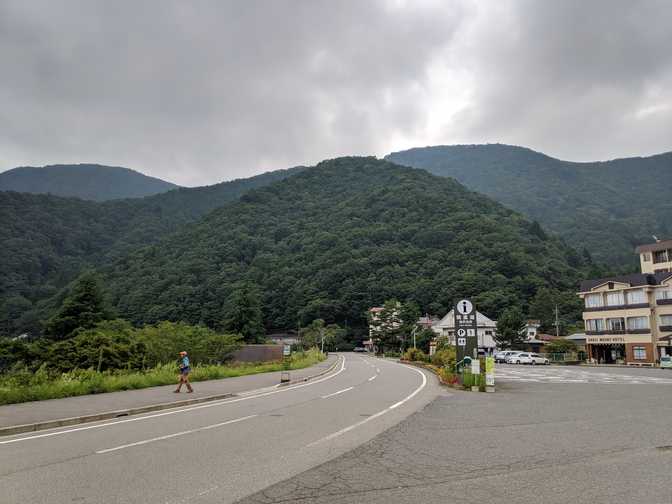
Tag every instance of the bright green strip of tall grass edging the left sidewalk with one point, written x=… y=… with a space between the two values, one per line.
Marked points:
x=23 y=385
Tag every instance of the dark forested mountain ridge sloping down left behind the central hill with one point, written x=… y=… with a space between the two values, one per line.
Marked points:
x=48 y=240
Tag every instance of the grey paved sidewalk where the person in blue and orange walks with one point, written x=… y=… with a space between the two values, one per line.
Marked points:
x=73 y=409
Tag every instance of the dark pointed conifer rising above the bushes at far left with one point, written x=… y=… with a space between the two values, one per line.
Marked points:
x=83 y=308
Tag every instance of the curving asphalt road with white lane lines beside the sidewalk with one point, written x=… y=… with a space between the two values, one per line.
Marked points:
x=215 y=452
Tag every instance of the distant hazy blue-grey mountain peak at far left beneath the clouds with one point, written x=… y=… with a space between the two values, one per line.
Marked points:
x=85 y=181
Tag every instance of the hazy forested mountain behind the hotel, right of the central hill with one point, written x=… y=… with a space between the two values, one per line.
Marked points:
x=607 y=207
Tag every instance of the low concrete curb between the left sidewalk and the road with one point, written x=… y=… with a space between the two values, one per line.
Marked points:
x=64 y=422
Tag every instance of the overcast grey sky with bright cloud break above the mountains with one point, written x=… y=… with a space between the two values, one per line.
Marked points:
x=200 y=92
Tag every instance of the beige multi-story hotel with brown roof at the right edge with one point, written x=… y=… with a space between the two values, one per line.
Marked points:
x=629 y=318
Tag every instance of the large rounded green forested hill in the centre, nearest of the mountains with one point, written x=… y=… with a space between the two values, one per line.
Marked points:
x=335 y=239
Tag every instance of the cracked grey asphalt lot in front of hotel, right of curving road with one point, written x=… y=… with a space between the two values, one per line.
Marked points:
x=558 y=435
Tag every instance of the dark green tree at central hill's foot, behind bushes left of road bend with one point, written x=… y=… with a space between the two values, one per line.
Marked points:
x=244 y=315
